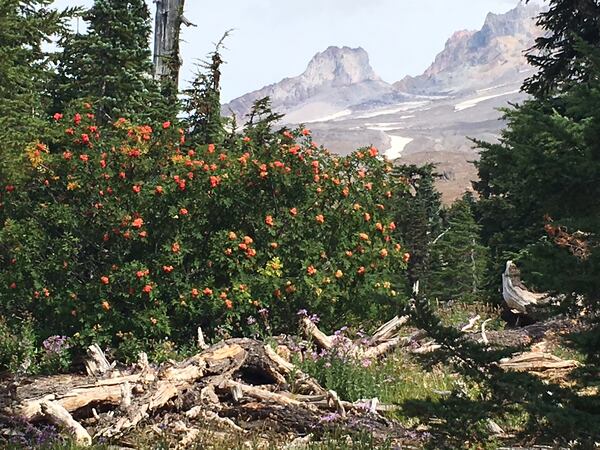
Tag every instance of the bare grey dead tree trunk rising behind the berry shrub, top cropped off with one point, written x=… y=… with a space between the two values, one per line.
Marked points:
x=167 y=24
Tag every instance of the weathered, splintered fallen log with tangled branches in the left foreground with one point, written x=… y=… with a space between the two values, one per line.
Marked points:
x=228 y=384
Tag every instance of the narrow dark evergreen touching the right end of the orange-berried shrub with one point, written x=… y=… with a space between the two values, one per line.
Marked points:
x=418 y=219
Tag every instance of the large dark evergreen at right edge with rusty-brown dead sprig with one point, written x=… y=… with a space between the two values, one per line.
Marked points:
x=539 y=185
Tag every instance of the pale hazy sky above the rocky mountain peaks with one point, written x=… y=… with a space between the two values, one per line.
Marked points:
x=274 y=39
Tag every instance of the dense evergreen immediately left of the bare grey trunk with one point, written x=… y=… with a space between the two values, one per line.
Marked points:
x=111 y=66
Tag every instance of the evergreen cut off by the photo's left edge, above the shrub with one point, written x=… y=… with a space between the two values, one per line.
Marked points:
x=24 y=73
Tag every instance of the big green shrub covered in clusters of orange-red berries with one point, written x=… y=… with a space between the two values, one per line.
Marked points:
x=128 y=235
